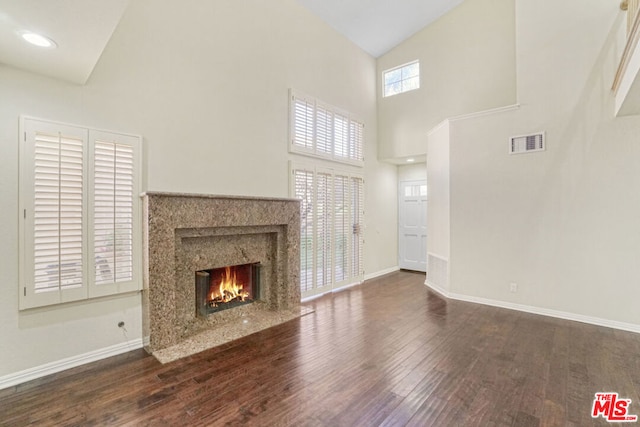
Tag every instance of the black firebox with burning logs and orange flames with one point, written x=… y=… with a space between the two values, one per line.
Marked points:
x=227 y=287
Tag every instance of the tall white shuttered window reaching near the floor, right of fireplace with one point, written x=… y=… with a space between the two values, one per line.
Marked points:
x=332 y=214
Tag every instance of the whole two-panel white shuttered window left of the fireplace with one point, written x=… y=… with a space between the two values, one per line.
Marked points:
x=80 y=219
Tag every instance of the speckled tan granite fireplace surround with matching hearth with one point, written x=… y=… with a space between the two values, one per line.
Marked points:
x=189 y=232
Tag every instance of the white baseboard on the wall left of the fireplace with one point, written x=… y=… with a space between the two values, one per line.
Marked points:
x=70 y=362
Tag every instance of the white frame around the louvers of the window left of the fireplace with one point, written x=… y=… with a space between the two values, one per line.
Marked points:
x=30 y=127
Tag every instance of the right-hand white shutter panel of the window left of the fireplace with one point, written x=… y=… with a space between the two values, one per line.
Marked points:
x=113 y=211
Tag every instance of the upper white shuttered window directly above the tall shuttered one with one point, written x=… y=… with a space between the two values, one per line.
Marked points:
x=321 y=130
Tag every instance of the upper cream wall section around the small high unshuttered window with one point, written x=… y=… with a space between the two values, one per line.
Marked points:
x=467 y=64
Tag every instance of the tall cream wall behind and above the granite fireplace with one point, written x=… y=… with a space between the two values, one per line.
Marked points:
x=206 y=85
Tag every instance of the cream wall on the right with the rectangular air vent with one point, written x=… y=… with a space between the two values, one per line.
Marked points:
x=563 y=223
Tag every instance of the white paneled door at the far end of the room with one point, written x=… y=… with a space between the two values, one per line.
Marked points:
x=412 y=228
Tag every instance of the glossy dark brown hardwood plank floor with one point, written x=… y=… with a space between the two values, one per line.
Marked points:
x=388 y=353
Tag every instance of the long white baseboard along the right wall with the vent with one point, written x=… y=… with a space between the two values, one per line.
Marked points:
x=629 y=327
